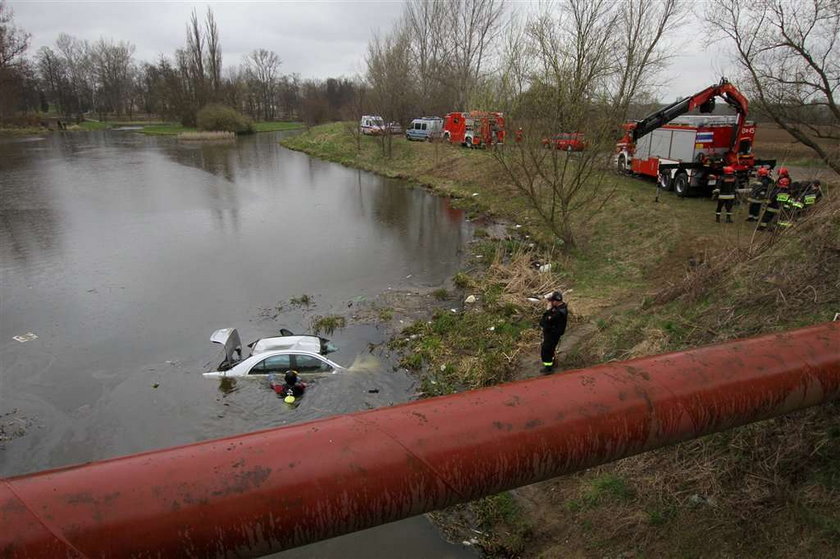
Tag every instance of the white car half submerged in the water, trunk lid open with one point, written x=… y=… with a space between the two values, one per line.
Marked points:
x=278 y=354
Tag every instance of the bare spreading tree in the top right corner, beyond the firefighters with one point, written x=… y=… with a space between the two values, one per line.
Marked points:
x=790 y=59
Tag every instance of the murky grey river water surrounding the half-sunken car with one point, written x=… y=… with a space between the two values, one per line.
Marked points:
x=122 y=253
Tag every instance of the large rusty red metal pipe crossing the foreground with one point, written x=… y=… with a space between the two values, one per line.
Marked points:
x=248 y=495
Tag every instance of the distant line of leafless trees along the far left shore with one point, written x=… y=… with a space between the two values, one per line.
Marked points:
x=75 y=77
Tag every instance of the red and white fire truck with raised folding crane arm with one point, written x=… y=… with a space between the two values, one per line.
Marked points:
x=688 y=152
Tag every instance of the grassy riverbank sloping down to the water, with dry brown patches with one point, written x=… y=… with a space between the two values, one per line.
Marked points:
x=647 y=277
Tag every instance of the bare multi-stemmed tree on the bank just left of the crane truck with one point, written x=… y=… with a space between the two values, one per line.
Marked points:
x=577 y=83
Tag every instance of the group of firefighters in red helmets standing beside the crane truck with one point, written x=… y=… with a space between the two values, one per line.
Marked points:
x=772 y=203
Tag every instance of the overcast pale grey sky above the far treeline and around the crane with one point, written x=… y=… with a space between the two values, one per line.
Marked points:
x=314 y=39
